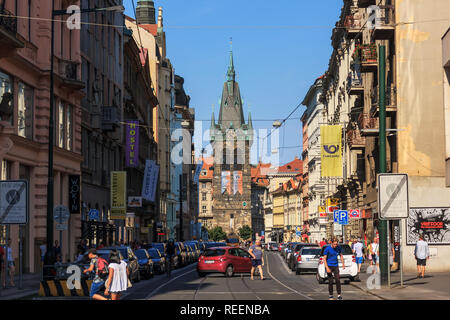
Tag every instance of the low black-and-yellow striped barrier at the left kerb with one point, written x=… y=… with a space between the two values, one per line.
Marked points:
x=58 y=288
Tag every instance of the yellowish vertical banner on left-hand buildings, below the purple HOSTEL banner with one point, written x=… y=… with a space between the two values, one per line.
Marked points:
x=118 y=195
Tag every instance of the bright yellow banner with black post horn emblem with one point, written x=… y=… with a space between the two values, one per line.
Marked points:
x=331 y=151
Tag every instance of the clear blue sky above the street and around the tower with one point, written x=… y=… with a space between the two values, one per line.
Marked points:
x=280 y=48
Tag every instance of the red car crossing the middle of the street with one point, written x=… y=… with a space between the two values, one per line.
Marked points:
x=226 y=260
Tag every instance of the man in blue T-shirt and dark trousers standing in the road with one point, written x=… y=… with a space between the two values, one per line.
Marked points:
x=330 y=260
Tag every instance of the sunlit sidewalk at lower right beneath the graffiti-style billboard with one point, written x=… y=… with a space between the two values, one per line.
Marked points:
x=433 y=287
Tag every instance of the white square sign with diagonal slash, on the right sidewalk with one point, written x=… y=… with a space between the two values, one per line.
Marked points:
x=393 y=202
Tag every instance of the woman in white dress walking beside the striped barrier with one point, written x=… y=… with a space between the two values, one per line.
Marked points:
x=117 y=282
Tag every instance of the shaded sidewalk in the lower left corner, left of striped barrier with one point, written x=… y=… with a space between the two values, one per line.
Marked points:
x=30 y=286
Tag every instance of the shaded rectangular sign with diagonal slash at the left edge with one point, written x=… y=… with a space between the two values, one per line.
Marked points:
x=14 y=204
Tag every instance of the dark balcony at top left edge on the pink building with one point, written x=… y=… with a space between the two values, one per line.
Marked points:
x=8 y=33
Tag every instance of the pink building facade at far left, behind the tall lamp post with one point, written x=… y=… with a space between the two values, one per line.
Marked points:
x=24 y=118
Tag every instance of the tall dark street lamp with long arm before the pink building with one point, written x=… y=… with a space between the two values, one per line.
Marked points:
x=49 y=258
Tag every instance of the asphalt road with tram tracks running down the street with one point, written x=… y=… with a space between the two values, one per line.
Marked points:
x=280 y=284
